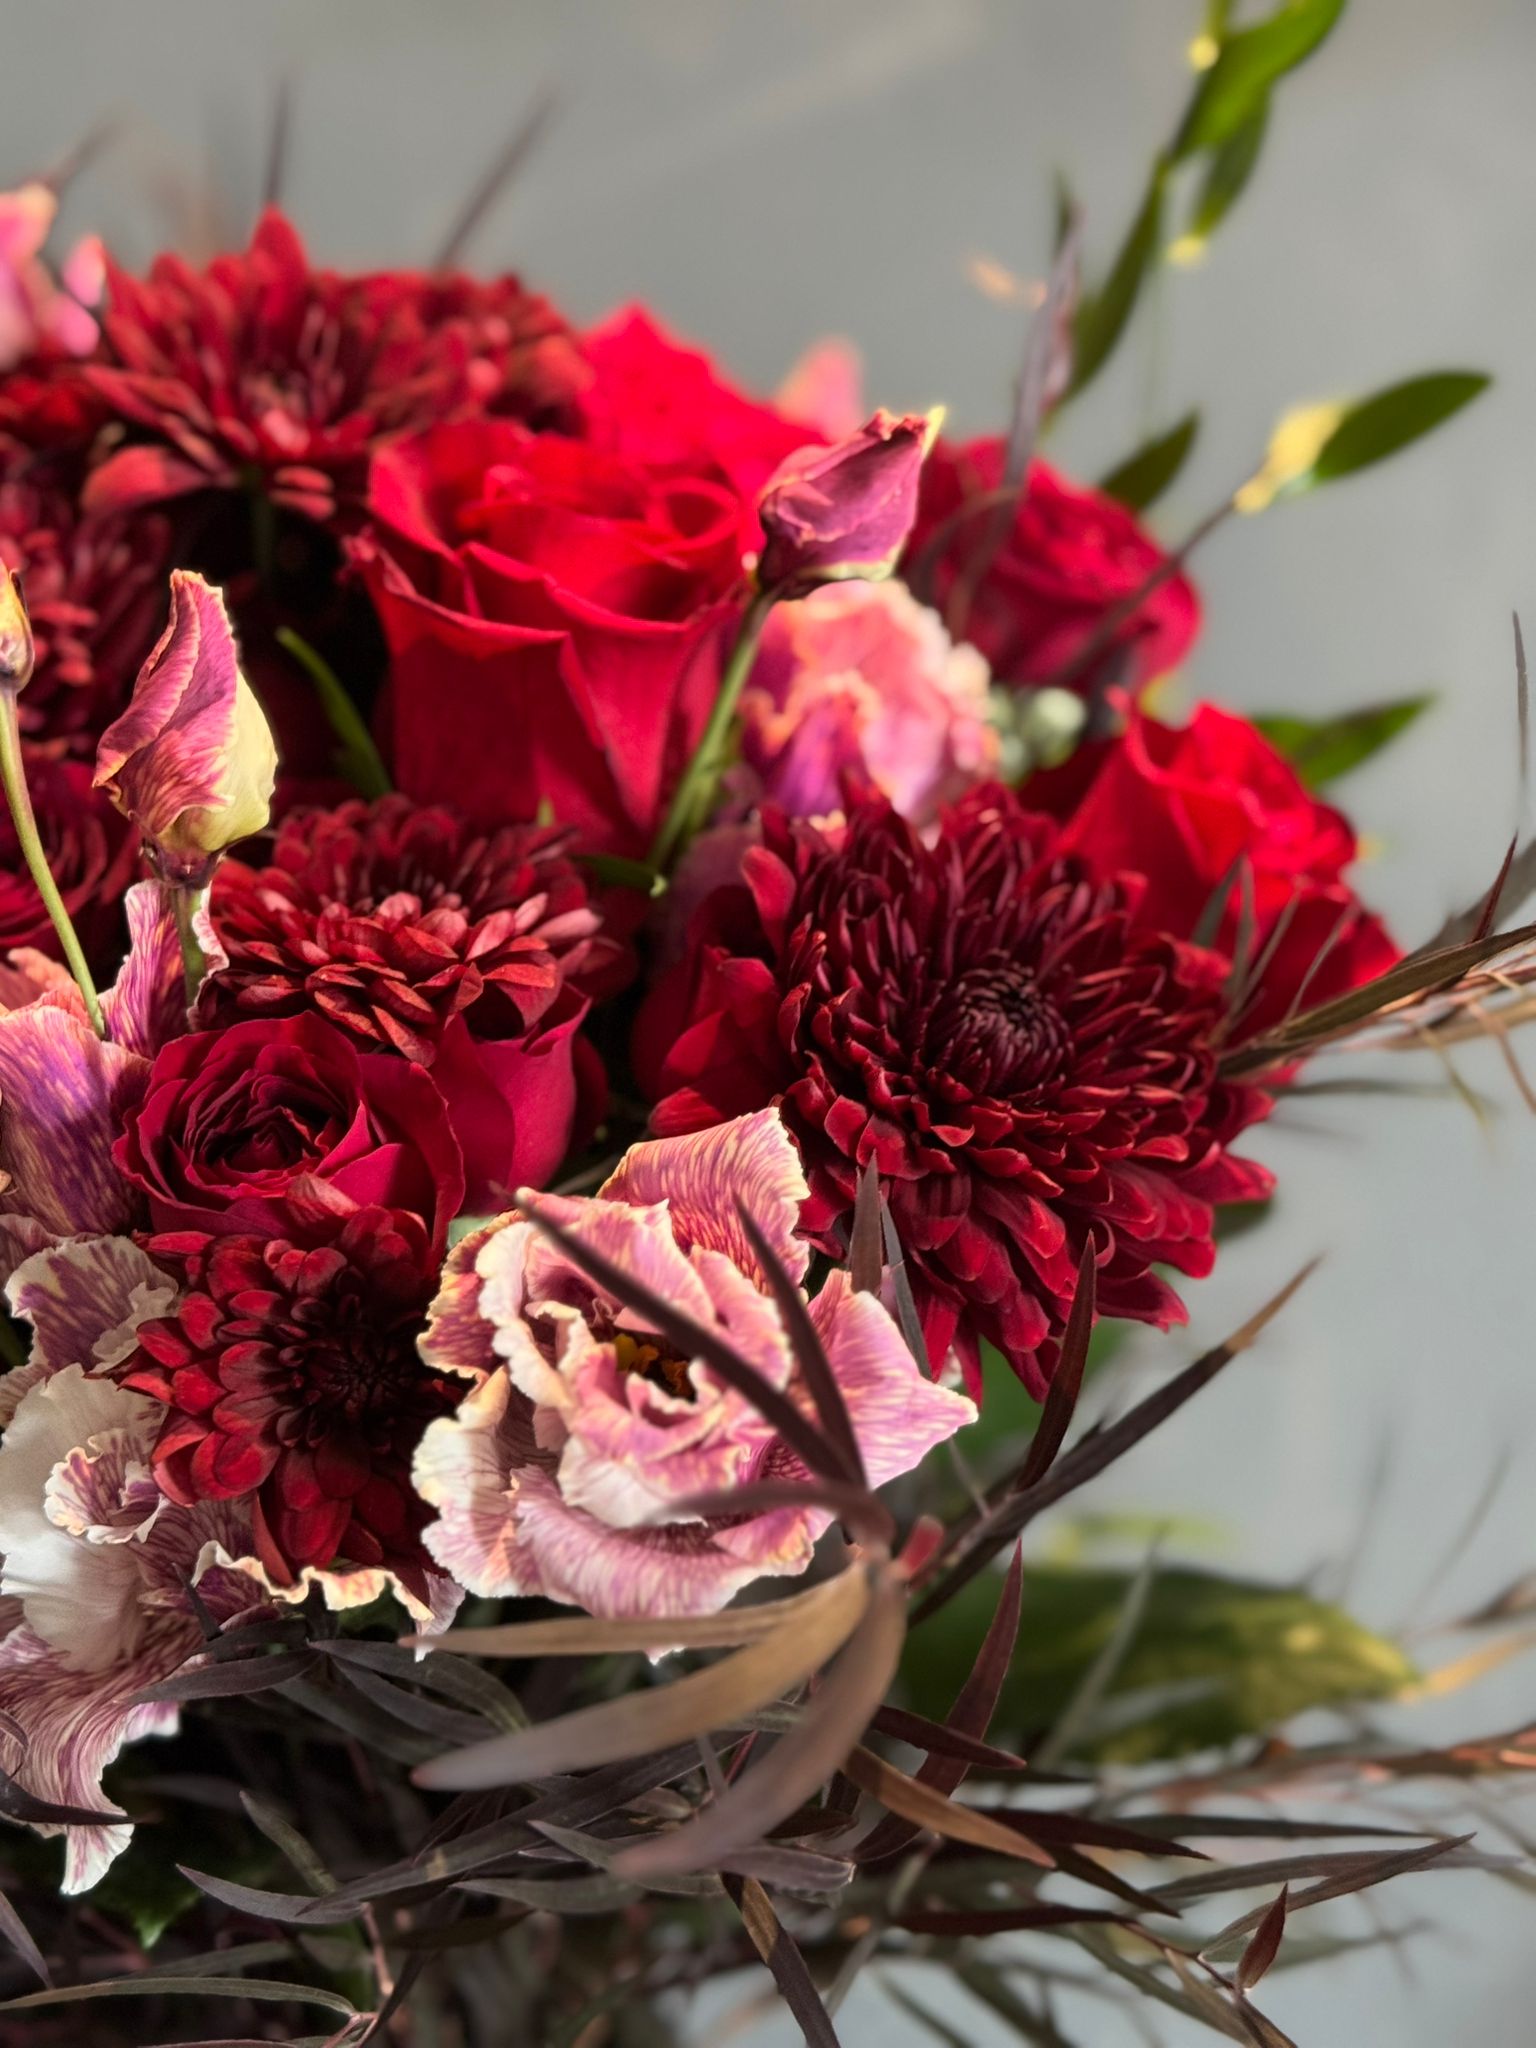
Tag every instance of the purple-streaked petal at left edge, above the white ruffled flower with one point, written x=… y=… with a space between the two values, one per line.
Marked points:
x=65 y=1097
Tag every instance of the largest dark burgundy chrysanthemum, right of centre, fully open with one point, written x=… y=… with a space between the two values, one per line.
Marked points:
x=986 y=1025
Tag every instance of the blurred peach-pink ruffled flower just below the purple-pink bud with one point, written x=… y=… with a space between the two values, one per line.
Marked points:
x=859 y=679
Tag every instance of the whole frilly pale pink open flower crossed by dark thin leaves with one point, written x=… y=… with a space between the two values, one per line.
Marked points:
x=570 y=1463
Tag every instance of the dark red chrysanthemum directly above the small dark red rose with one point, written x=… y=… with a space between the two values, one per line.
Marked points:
x=394 y=921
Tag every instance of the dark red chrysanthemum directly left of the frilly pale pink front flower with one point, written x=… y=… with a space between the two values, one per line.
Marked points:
x=292 y=1379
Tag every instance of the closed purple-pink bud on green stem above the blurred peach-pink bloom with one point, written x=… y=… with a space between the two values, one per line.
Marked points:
x=845 y=511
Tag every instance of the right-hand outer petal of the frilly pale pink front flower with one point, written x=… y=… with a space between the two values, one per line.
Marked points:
x=896 y=1410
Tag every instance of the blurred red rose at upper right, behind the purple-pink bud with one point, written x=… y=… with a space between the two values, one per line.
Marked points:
x=1068 y=560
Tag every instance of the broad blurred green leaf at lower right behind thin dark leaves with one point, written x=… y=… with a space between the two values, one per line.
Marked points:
x=1213 y=1660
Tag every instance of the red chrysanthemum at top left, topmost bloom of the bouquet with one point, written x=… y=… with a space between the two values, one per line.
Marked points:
x=263 y=370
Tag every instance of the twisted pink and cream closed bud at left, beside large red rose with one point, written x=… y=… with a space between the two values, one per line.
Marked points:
x=191 y=761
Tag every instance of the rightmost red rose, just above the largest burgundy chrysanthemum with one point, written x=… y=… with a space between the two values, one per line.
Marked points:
x=1189 y=808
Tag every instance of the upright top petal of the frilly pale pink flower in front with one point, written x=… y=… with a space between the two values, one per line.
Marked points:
x=706 y=1175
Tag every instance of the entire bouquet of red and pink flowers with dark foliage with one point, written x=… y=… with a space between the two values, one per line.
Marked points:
x=613 y=992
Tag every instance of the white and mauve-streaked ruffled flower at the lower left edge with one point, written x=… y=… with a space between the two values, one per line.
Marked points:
x=95 y=1562
